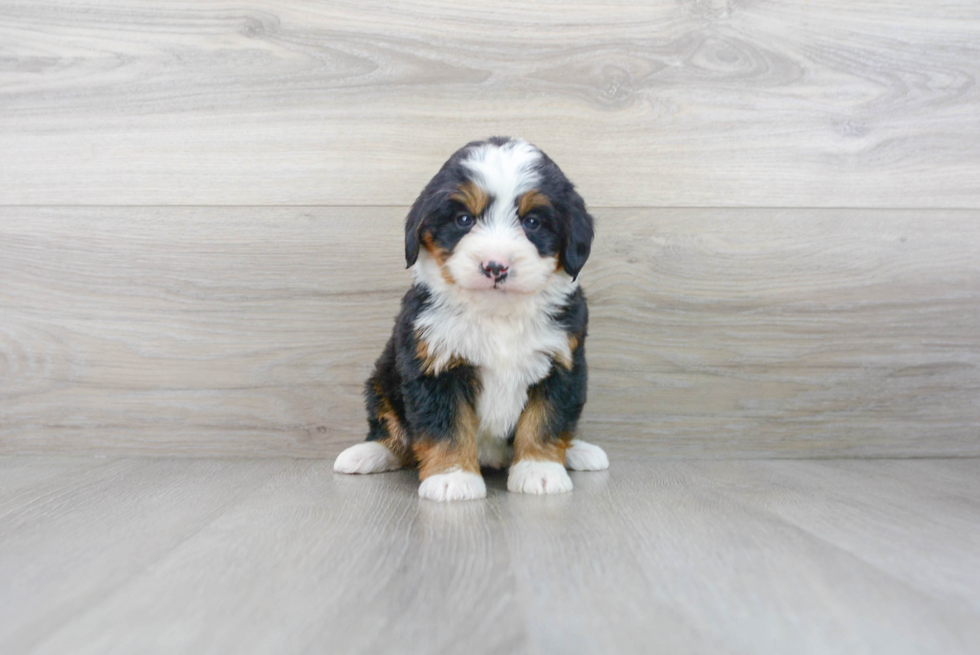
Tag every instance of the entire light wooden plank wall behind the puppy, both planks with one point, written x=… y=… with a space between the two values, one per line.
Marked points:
x=200 y=208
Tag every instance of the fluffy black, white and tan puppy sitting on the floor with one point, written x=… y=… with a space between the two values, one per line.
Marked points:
x=486 y=366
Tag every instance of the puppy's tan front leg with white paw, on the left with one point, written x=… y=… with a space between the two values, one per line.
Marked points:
x=448 y=464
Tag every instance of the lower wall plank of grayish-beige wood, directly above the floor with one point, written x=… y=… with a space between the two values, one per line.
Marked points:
x=714 y=333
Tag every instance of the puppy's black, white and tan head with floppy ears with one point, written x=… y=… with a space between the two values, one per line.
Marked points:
x=499 y=217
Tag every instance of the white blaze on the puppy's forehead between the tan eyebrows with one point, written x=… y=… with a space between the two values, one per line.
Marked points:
x=504 y=172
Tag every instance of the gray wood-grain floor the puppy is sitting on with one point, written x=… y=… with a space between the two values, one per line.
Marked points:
x=171 y=555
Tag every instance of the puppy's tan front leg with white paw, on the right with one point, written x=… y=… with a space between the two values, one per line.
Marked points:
x=539 y=453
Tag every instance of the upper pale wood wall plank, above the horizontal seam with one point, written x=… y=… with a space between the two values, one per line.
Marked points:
x=694 y=103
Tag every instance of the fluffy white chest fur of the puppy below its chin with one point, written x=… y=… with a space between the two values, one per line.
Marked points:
x=511 y=341
